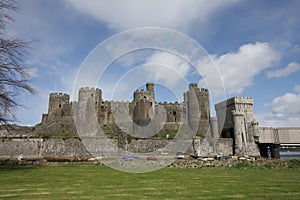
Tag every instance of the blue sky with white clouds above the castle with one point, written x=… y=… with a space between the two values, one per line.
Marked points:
x=254 y=44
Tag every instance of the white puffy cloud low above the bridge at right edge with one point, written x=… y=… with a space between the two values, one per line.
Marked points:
x=285 y=111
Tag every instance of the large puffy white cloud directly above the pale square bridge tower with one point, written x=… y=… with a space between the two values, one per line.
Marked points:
x=238 y=69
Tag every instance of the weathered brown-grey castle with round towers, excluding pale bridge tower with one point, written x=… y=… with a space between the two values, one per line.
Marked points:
x=195 y=108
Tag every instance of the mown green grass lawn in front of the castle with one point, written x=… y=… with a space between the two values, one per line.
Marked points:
x=100 y=182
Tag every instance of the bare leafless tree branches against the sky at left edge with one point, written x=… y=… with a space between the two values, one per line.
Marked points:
x=14 y=76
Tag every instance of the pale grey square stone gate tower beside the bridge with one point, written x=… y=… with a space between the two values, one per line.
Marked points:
x=236 y=121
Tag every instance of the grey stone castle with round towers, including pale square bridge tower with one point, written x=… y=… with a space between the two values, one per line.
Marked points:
x=234 y=122
